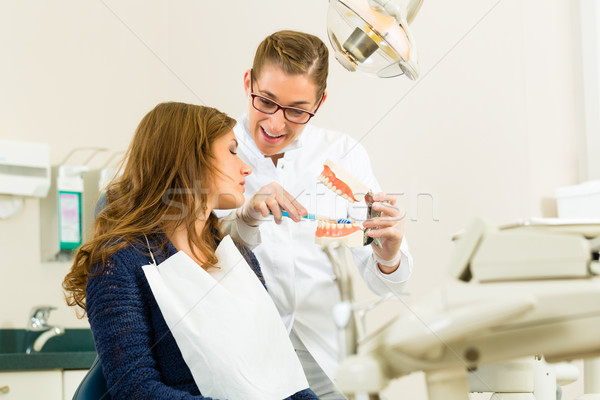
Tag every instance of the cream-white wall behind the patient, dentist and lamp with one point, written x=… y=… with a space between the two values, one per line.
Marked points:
x=489 y=130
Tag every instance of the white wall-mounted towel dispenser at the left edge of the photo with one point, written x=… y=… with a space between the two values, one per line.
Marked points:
x=24 y=172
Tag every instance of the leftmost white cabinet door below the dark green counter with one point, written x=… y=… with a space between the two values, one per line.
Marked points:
x=27 y=385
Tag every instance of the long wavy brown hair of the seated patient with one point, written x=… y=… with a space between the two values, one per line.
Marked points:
x=163 y=185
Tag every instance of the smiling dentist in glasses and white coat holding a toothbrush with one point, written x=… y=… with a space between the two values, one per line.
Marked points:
x=286 y=86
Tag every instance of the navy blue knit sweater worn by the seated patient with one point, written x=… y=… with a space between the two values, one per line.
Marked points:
x=139 y=356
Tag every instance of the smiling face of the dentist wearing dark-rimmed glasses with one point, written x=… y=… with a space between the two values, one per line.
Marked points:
x=272 y=132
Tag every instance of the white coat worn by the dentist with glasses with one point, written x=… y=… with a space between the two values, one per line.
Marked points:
x=298 y=274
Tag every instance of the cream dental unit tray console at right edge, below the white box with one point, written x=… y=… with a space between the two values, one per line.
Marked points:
x=540 y=248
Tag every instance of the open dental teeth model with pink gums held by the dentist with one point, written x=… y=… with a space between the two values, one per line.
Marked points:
x=346 y=232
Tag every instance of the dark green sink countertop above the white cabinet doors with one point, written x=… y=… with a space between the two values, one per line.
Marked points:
x=73 y=350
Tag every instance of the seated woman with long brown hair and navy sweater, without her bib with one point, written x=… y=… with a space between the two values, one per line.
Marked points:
x=181 y=164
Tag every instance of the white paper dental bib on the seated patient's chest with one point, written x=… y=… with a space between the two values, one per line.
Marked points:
x=227 y=327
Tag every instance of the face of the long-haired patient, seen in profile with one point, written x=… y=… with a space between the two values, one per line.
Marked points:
x=227 y=189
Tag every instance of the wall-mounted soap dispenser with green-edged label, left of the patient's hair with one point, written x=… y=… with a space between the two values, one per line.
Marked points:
x=64 y=213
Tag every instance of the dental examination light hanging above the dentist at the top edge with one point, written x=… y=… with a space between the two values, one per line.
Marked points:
x=373 y=36
